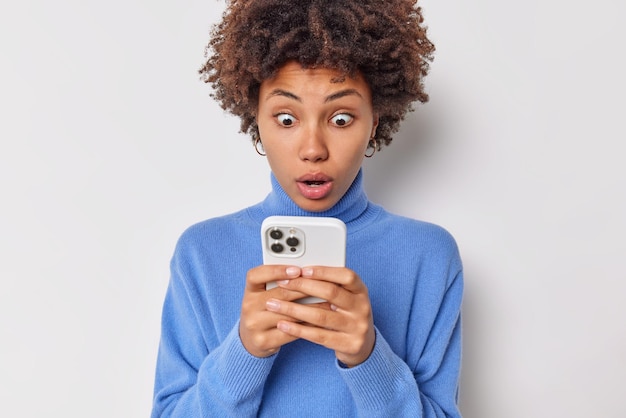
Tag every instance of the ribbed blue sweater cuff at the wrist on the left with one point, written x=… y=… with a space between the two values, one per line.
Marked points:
x=243 y=374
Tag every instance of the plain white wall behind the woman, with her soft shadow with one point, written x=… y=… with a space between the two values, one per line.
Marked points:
x=110 y=147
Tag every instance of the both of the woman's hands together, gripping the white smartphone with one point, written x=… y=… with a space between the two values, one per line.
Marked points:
x=271 y=319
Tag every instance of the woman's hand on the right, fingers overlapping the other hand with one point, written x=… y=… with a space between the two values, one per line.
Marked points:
x=343 y=324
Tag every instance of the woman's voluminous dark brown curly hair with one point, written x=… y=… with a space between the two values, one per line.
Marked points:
x=383 y=40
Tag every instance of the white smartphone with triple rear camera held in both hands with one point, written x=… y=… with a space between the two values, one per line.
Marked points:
x=303 y=241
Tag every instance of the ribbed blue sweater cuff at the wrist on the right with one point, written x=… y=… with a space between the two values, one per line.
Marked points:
x=376 y=382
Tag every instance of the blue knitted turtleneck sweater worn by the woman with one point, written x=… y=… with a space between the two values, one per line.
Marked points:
x=414 y=277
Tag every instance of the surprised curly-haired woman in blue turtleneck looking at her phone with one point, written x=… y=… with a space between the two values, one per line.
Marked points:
x=319 y=85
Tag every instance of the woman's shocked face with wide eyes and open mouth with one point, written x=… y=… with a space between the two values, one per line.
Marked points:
x=315 y=132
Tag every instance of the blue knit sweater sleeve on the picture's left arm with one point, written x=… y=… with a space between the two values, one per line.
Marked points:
x=191 y=380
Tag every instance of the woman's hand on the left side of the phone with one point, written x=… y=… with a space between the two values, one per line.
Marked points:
x=258 y=326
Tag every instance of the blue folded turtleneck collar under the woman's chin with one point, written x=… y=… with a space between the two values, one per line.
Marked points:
x=353 y=208
